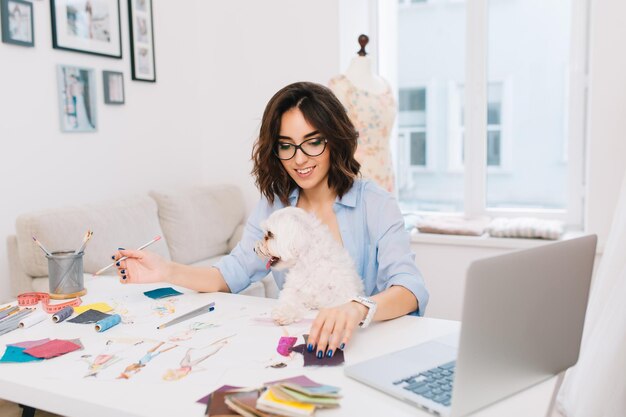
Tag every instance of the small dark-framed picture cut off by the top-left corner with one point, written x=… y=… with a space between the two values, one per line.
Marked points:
x=17 y=22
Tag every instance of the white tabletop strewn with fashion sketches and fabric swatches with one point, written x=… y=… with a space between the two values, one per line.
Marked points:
x=35 y=385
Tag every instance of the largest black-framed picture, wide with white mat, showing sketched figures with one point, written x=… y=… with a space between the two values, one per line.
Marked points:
x=88 y=26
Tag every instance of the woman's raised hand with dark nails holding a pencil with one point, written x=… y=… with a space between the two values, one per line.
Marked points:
x=141 y=267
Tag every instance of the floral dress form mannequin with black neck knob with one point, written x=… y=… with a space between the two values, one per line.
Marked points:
x=369 y=101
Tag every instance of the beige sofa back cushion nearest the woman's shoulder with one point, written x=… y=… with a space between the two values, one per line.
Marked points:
x=198 y=222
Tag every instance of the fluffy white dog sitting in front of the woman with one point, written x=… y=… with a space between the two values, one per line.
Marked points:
x=320 y=274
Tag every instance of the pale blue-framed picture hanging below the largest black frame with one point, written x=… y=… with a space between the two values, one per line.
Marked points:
x=77 y=99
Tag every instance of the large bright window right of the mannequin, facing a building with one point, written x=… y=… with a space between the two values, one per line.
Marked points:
x=503 y=105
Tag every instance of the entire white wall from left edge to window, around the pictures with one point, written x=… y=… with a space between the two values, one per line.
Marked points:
x=217 y=65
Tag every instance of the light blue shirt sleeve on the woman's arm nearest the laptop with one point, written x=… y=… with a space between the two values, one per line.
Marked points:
x=396 y=261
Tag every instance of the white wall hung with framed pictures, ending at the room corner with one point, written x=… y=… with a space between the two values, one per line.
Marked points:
x=149 y=142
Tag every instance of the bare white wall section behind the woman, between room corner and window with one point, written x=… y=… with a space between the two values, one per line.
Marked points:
x=250 y=50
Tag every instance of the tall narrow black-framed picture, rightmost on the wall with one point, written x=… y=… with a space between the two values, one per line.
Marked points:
x=141 y=40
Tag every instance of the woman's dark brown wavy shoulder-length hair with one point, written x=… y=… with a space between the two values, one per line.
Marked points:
x=322 y=110
